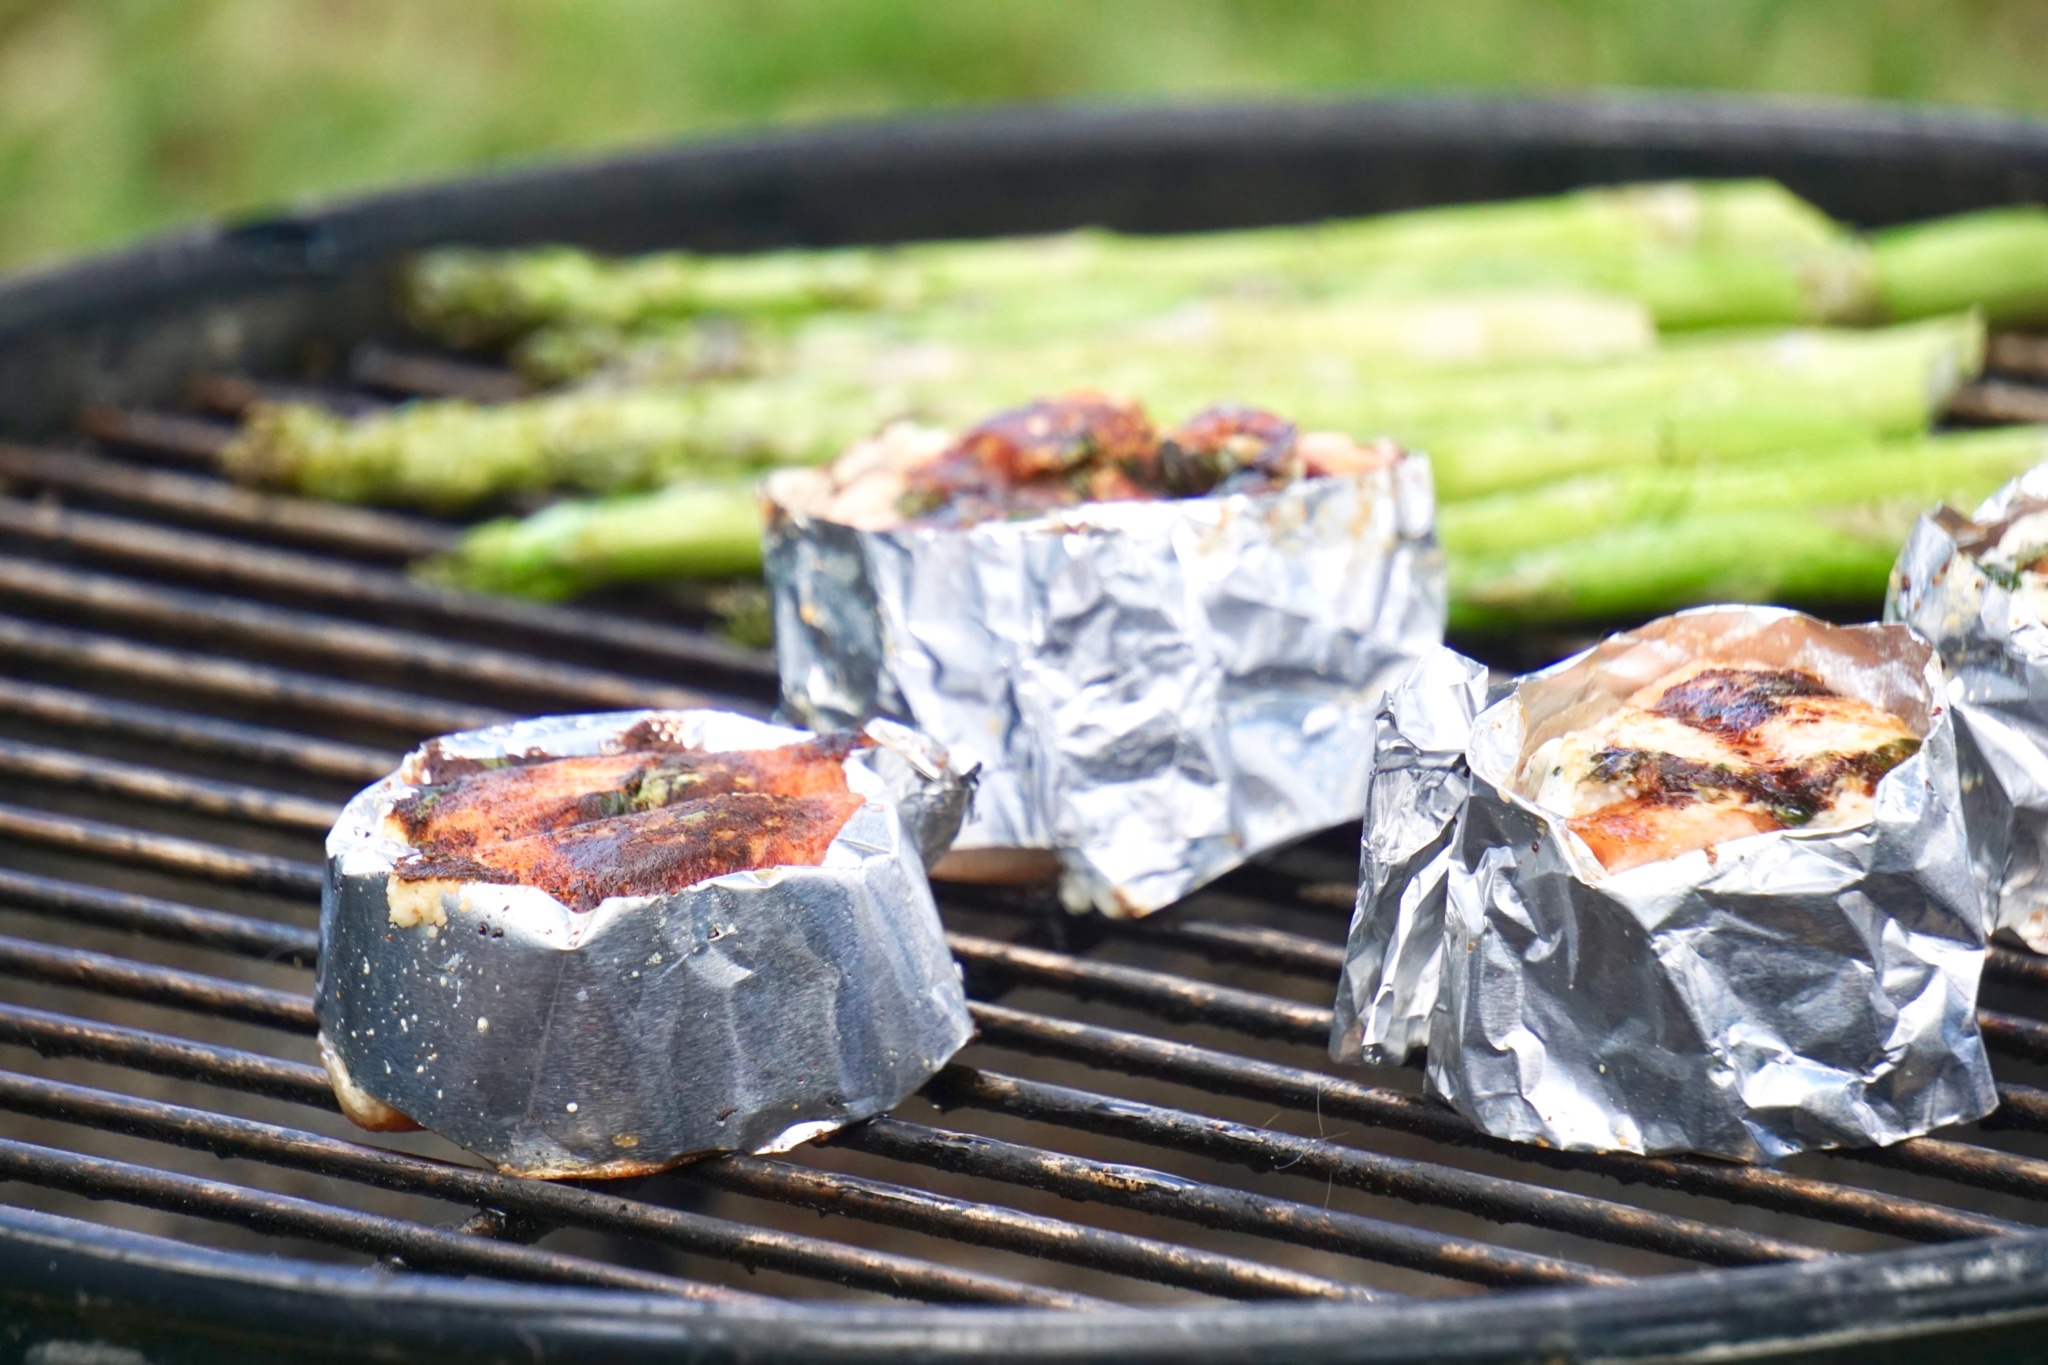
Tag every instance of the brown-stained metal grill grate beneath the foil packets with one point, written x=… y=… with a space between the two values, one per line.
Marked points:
x=196 y=676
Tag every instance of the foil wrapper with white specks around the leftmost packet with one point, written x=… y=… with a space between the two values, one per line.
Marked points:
x=751 y=1012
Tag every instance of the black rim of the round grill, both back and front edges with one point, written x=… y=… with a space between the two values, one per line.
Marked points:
x=114 y=328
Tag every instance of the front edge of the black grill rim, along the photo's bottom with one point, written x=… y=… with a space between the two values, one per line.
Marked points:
x=142 y=1288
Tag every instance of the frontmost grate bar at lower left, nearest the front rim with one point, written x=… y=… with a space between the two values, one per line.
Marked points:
x=99 y=1178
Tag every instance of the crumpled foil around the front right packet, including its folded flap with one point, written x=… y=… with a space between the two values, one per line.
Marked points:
x=1779 y=994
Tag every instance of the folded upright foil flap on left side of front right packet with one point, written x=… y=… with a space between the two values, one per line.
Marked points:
x=1416 y=789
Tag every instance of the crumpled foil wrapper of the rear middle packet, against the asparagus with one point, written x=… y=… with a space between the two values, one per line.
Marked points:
x=1156 y=691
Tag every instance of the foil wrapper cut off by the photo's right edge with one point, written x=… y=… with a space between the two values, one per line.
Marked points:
x=1996 y=650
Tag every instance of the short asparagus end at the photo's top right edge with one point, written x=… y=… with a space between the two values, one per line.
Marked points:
x=1994 y=261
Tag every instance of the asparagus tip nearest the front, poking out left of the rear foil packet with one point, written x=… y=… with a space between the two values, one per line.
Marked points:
x=697 y=529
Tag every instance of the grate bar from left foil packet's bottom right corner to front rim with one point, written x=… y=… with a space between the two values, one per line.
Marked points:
x=1213 y=1206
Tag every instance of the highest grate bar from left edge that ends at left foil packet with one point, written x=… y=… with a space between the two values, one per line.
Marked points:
x=85 y=711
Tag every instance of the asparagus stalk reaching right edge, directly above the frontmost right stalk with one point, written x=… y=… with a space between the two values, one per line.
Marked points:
x=1959 y=470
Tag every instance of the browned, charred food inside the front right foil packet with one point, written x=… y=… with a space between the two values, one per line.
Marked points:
x=1713 y=752
